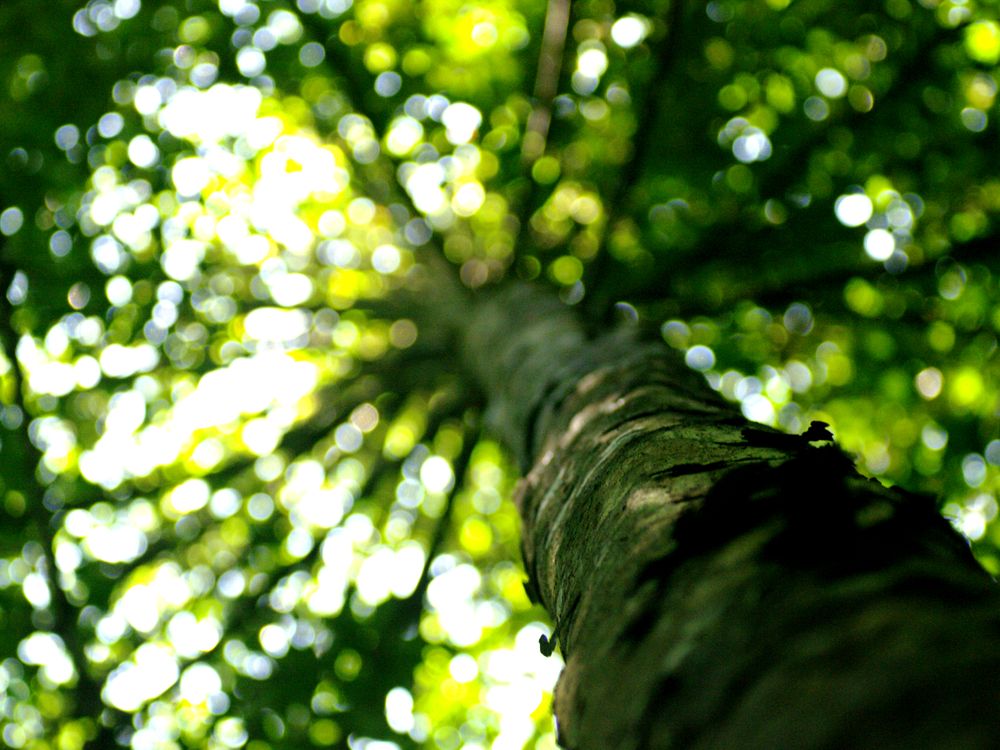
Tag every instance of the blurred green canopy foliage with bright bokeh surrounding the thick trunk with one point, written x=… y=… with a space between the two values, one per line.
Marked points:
x=246 y=498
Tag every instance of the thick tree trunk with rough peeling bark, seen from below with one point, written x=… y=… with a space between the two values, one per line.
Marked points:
x=716 y=584
